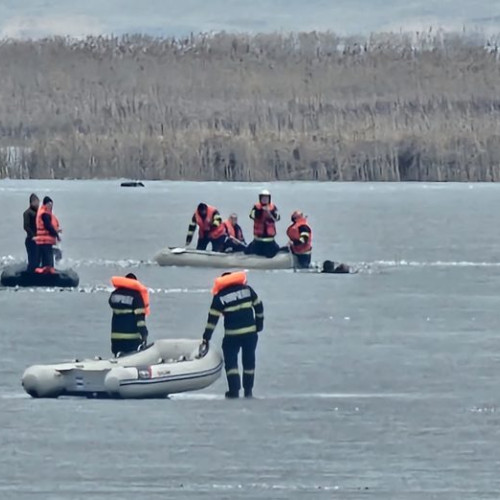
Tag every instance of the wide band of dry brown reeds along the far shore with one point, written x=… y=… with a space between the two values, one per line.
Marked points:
x=236 y=107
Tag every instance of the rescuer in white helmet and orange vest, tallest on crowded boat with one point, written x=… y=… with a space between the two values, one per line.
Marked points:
x=264 y=215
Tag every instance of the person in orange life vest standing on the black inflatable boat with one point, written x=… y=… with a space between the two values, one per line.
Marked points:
x=47 y=234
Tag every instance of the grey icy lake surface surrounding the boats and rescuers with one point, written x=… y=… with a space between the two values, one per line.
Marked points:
x=376 y=385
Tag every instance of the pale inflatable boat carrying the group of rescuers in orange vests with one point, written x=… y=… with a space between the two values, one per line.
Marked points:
x=238 y=260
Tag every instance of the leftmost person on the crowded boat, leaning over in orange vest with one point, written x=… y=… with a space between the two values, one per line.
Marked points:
x=210 y=228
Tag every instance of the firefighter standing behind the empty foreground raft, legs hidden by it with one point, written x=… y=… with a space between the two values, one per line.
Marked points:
x=130 y=305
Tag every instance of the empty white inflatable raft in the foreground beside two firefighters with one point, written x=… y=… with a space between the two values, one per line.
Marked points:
x=167 y=366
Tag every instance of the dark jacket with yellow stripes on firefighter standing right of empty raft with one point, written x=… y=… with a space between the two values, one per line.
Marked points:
x=242 y=309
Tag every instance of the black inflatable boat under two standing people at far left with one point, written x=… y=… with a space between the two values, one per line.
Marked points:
x=17 y=275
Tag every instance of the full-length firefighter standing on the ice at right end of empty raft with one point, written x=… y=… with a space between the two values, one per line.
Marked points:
x=243 y=313
